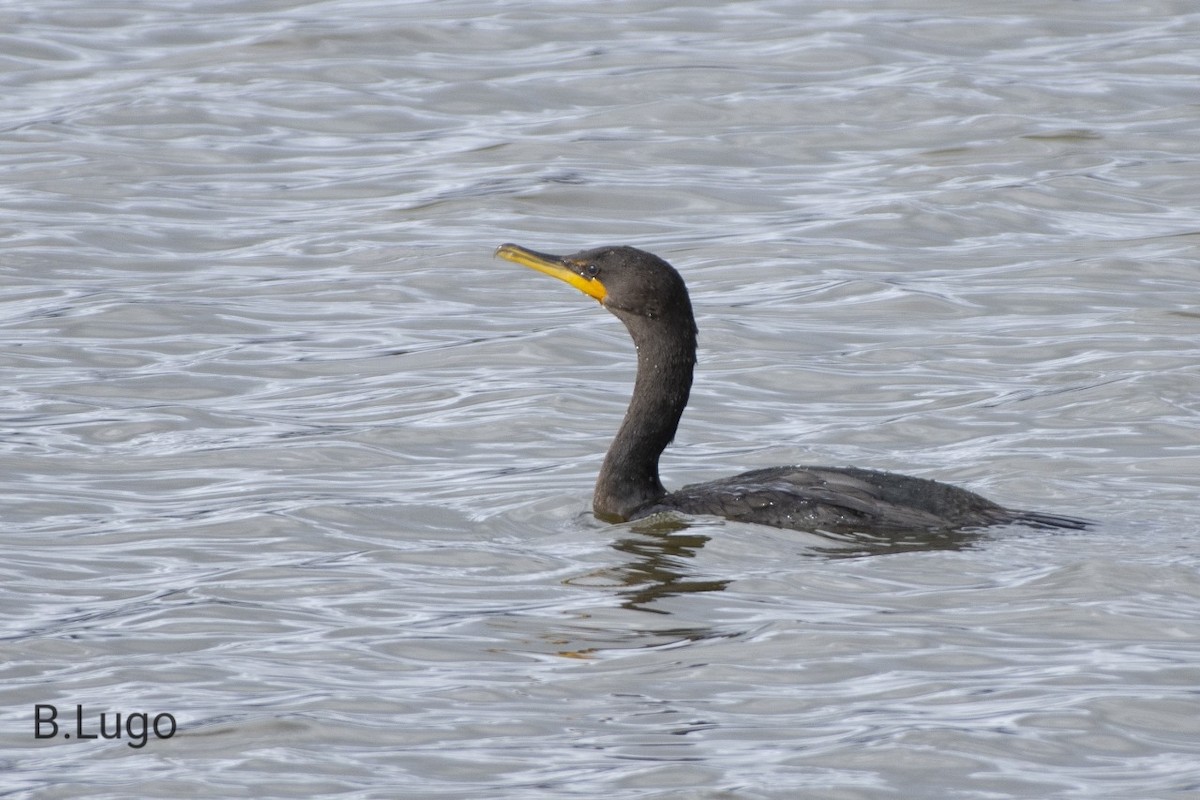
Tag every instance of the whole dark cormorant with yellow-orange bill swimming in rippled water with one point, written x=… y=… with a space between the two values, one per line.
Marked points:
x=650 y=297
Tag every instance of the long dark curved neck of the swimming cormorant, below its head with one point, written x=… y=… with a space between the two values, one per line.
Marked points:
x=667 y=356
